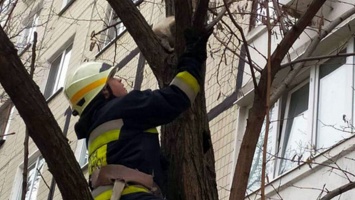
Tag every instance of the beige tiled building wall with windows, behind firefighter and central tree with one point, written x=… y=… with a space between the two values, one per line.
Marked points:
x=71 y=32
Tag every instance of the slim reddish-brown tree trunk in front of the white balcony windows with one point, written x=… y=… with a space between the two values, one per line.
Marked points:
x=258 y=110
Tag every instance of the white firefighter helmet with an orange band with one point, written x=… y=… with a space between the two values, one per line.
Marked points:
x=85 y=83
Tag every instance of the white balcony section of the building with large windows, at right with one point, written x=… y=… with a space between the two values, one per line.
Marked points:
x=310 y=140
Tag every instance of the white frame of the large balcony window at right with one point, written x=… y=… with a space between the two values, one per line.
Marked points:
x=311 y=77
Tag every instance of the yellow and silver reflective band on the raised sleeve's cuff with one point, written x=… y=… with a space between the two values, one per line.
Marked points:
x=187 y=83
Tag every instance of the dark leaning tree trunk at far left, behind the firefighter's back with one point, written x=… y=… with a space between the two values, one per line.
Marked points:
x=42 y=126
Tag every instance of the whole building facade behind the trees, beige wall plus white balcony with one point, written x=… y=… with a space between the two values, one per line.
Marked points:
x=310 y=142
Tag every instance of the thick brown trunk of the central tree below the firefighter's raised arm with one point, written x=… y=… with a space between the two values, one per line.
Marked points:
x=186 y=143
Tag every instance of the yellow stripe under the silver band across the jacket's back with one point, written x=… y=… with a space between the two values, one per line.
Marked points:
x=103 y=139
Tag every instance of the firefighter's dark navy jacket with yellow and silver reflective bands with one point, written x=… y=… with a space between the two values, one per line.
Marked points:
x=130 y=137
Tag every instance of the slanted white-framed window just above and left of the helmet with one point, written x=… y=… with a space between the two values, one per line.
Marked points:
x=57 y=72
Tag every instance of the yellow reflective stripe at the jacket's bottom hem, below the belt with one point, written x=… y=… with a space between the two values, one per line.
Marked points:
x=106 y=194
